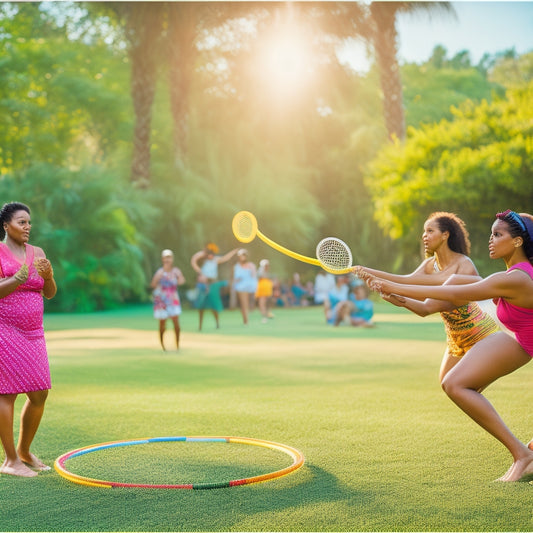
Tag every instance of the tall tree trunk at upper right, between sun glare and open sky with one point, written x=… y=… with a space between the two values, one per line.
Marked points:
x=385 y=40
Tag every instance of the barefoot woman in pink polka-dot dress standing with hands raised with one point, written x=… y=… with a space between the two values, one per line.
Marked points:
x=25 y=277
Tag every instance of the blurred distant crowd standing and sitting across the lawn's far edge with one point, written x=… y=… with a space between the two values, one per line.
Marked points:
x=344 y=298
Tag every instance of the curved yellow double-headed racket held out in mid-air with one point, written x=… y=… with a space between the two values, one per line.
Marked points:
x=333 y=254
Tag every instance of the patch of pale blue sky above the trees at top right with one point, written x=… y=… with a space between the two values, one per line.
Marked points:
x=480 y=27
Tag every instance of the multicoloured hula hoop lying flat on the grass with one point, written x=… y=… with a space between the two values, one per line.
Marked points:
x=298 y=461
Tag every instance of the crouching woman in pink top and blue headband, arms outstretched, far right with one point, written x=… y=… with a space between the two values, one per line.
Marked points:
x=500 y=354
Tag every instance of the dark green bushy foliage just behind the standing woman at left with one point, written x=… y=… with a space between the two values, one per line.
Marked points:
x=87 y=223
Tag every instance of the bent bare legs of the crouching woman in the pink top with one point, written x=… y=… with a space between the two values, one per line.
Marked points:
x=490 y=359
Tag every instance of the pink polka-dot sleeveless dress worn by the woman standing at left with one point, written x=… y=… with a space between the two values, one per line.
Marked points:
x=23 y=357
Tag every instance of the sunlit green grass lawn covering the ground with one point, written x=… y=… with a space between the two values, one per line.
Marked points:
x=385 y=449
